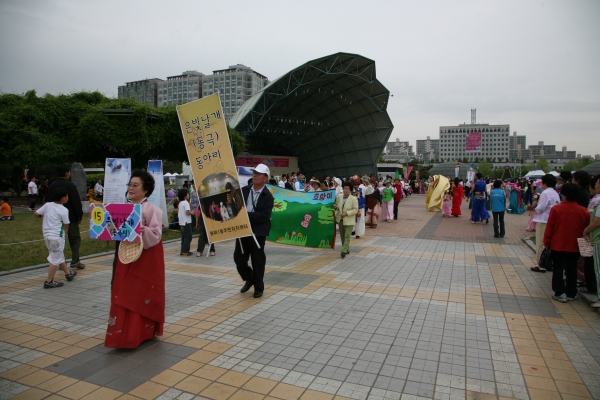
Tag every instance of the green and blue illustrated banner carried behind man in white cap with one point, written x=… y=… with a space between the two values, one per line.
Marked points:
x=302 y=218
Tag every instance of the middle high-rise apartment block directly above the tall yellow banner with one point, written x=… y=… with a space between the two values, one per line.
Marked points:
x=180 y=89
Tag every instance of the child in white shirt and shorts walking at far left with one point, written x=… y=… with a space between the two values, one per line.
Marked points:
x=55 y=228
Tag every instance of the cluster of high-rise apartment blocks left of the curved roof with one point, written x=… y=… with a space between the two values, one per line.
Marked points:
x=235 y=85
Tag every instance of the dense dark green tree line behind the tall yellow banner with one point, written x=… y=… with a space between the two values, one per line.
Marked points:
x=87 y=127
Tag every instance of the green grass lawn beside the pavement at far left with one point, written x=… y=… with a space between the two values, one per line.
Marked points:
x=27 y=228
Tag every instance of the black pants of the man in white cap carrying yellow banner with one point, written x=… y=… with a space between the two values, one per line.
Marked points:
x=258 y=257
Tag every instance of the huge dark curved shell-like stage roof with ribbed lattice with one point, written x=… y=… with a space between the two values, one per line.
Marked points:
x=331 y=113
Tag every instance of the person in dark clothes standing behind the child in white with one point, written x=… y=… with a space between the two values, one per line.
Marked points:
x=75 y=212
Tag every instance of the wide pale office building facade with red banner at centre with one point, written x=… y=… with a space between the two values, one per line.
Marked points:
x=494 y=143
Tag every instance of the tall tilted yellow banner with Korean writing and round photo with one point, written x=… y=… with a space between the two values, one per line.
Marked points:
x=213 y=167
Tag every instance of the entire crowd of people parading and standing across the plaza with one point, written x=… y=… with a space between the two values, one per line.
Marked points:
x=566 y=219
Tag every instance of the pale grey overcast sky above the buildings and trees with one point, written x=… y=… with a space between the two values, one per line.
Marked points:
x=532 y=64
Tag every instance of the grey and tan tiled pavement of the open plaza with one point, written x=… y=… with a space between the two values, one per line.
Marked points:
x=424 y=307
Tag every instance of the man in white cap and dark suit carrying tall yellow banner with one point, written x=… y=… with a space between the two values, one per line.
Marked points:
x=259 y=204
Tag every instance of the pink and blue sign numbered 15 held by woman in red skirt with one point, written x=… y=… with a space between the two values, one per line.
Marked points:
x=120 y=222
